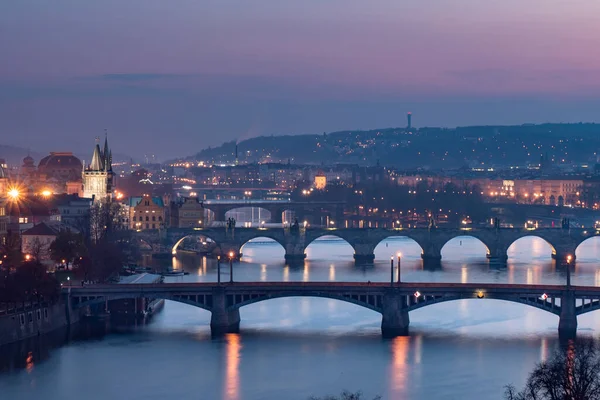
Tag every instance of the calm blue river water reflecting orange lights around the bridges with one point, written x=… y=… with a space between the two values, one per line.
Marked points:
x=293 y=348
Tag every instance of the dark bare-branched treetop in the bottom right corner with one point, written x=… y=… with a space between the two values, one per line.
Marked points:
x=571 y=374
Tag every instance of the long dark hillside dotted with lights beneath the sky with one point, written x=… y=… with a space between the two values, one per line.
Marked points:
x=424 y=147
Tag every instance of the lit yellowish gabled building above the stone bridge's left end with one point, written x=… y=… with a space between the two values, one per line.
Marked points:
x=147 y=212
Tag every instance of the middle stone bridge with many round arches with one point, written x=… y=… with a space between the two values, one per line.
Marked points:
x=563 y=242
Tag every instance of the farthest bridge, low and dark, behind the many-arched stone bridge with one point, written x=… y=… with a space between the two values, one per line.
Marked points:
x=303 y=210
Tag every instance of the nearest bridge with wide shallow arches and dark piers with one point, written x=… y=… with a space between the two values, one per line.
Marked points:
x=393 y=300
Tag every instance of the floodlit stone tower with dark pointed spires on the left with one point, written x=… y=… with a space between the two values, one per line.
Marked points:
x=98 y=175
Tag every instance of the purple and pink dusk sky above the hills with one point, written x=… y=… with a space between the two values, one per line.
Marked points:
x=172 y=77
